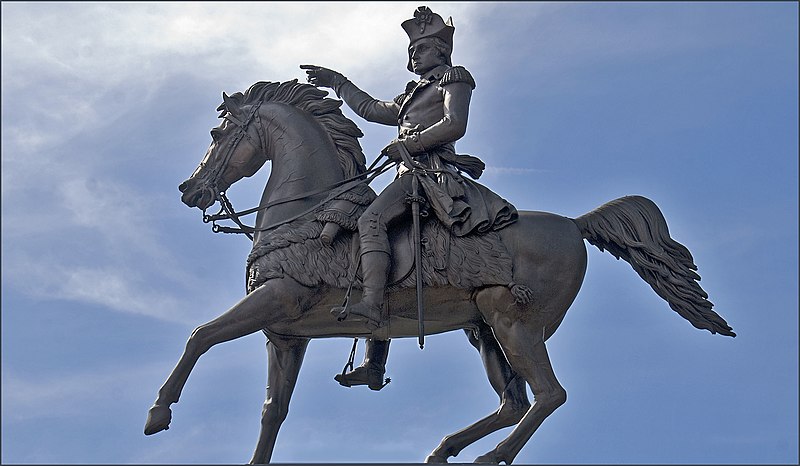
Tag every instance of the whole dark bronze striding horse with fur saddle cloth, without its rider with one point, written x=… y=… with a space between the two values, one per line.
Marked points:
x=295 y=278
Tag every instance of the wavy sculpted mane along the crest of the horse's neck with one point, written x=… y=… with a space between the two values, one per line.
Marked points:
x=326 y=111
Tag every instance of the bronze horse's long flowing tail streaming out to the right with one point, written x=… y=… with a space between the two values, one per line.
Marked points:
x=633 y=228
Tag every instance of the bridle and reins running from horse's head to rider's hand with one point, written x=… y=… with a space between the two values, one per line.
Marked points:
x=227 y=212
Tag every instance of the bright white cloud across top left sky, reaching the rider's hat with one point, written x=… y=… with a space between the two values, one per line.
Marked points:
x=108 y=44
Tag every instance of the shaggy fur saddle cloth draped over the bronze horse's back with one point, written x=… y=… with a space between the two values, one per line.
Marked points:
x=297 y=250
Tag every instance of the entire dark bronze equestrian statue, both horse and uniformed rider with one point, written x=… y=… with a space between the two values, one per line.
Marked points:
x=311 y=228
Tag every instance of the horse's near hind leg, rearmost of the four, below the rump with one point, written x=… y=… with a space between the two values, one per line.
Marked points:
x=522 y=335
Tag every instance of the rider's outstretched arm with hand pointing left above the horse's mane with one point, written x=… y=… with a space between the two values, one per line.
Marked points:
x=368 y=108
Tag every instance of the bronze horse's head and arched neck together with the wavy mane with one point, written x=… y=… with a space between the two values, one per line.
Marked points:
x=296 y=122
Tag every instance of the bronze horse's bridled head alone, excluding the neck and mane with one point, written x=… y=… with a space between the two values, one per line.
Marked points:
x=237 y=150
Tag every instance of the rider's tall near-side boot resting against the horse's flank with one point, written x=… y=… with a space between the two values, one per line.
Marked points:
x=375 y=268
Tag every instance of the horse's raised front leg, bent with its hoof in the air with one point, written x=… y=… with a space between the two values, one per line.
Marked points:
x=254 y=312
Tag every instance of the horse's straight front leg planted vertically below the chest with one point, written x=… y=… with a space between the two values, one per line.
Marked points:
x=285 y=359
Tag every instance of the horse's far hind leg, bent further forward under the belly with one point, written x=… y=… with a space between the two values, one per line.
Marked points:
x=509 y=387
